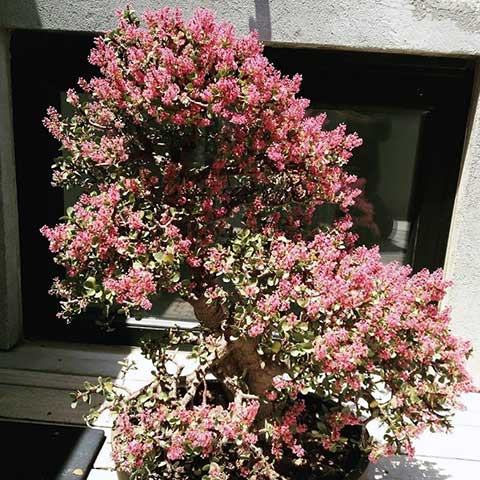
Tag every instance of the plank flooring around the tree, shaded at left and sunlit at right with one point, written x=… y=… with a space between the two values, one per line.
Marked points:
x=36 y=378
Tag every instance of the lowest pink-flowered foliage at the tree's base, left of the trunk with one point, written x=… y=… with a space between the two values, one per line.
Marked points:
x=156 y=431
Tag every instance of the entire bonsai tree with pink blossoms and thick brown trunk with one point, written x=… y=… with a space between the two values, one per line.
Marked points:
x=203 y=177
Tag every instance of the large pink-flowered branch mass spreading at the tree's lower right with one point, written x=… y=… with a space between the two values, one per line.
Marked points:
x=348 y=328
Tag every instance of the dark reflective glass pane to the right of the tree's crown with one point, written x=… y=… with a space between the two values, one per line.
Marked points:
x=385 y=166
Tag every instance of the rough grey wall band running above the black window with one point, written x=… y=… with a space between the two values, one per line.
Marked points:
x=401 y=25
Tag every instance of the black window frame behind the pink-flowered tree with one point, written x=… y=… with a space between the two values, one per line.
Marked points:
x=46 y=63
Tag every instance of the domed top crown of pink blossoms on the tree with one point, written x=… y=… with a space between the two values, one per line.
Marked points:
x=196 y=77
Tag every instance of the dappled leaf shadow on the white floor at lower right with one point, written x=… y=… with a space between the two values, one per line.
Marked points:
x=400 y=467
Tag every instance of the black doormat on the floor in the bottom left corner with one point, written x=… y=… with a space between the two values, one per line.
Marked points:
x=47 y=452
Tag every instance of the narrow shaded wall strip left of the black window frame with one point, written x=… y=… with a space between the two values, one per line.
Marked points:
x=10 y=296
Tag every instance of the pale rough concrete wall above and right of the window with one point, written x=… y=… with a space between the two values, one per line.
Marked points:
x=433 y=27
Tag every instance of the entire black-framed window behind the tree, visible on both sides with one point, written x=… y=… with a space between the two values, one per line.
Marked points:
x=410 y=110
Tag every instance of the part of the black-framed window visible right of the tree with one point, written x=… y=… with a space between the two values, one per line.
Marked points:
x=411 y=112
